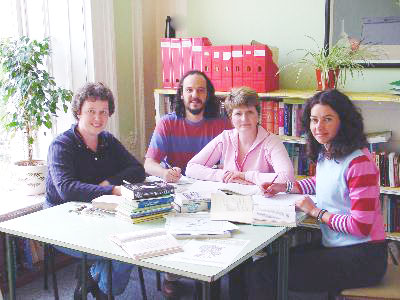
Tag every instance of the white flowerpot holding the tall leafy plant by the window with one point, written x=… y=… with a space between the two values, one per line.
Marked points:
x=30 y=180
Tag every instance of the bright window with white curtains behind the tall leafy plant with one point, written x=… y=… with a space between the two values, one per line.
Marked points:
x=69 y=26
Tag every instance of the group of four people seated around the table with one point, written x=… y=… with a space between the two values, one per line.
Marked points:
x=200 y=141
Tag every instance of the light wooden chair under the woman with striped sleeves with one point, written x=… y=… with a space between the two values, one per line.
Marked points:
x=389 y=288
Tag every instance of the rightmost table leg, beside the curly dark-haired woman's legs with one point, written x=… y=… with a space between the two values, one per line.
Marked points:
x=283 y=266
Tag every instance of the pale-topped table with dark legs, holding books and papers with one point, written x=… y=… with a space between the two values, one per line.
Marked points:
x=89 y=234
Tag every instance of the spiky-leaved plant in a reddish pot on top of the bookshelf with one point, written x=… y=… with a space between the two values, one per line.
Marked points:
x=333 y=65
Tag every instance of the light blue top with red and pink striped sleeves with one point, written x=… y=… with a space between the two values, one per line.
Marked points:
x=349 y=189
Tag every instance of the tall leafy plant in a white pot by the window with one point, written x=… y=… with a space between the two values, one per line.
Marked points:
x=30 y=98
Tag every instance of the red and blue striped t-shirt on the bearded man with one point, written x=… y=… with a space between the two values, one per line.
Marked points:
x=176 y=140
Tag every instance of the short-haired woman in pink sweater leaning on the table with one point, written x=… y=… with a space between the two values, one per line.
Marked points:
x=248 y=153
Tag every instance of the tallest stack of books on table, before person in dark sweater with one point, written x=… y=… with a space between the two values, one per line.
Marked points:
x=145 y=201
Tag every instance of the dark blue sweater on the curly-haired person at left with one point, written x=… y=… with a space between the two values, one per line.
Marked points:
x=75 y=171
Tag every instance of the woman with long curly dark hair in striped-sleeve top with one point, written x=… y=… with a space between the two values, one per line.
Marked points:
x=353 y=250
